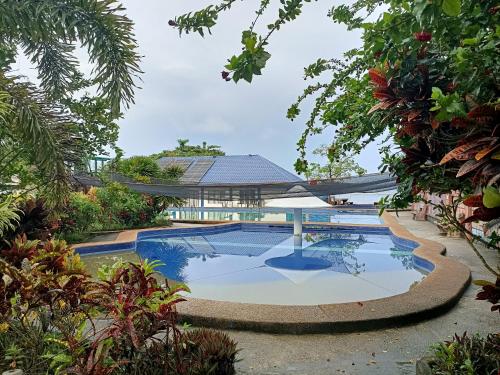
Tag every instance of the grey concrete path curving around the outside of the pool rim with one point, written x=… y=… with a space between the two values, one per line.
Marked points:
x=390 y=351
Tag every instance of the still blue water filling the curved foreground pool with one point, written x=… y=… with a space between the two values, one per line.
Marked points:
x=258 y=263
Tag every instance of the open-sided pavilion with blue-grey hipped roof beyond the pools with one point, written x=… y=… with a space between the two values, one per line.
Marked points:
x=229 y=169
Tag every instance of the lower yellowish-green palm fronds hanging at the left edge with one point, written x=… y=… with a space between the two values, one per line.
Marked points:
x=35 y=132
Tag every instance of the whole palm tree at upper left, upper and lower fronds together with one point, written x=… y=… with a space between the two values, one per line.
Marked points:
x=37 y=132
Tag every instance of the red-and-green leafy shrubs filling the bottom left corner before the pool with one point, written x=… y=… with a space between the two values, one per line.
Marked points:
x=48 y=311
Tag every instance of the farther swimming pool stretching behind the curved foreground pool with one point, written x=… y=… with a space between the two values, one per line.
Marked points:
x=313 y=215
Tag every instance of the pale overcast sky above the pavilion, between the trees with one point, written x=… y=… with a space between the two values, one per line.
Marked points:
x=183 y=95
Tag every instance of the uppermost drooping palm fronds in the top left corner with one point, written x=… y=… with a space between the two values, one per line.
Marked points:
x=48 y=29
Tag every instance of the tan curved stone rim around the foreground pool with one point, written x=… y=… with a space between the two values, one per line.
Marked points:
x=440 y=290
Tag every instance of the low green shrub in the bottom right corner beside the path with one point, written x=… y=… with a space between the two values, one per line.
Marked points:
x=467 y=355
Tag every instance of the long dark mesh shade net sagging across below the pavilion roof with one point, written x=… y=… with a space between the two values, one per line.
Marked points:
x=263 y=191
